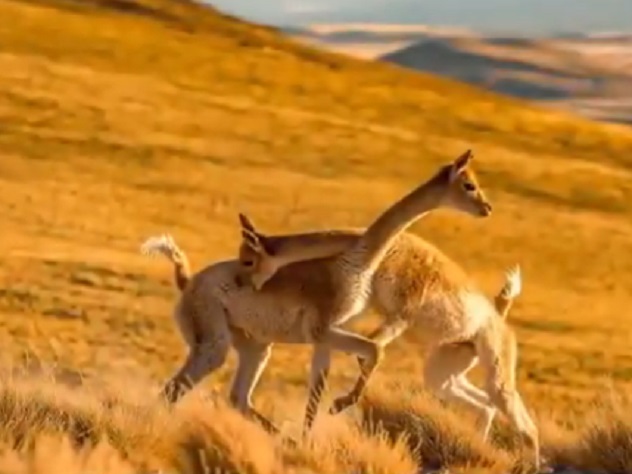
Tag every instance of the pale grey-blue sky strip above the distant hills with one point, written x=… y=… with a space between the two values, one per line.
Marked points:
x=520 y=16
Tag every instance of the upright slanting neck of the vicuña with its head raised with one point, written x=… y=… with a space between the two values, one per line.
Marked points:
x=377 y=239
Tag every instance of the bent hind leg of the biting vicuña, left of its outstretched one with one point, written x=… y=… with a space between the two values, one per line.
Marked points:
x=445 y=372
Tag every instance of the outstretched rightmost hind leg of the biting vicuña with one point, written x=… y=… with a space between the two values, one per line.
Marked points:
x=502 y=392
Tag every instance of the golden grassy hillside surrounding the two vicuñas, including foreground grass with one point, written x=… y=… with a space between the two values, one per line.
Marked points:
x=120 y=119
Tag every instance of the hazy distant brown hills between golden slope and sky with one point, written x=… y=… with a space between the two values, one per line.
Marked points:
x=588 y=74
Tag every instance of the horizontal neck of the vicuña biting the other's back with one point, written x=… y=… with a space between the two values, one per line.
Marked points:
x=310 y=245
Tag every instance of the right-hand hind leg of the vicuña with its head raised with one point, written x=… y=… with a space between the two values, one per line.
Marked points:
x=253 y=358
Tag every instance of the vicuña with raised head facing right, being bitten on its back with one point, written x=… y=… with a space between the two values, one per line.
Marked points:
x=304 y=301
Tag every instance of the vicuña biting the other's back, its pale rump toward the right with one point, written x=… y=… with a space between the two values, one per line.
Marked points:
x=416 y=284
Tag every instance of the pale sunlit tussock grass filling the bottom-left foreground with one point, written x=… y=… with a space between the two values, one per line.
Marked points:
x=84 y=426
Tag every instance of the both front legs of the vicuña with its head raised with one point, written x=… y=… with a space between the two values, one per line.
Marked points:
x=338 y=339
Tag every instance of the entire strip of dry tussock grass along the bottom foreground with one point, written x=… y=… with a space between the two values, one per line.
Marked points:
x=117 y=425
